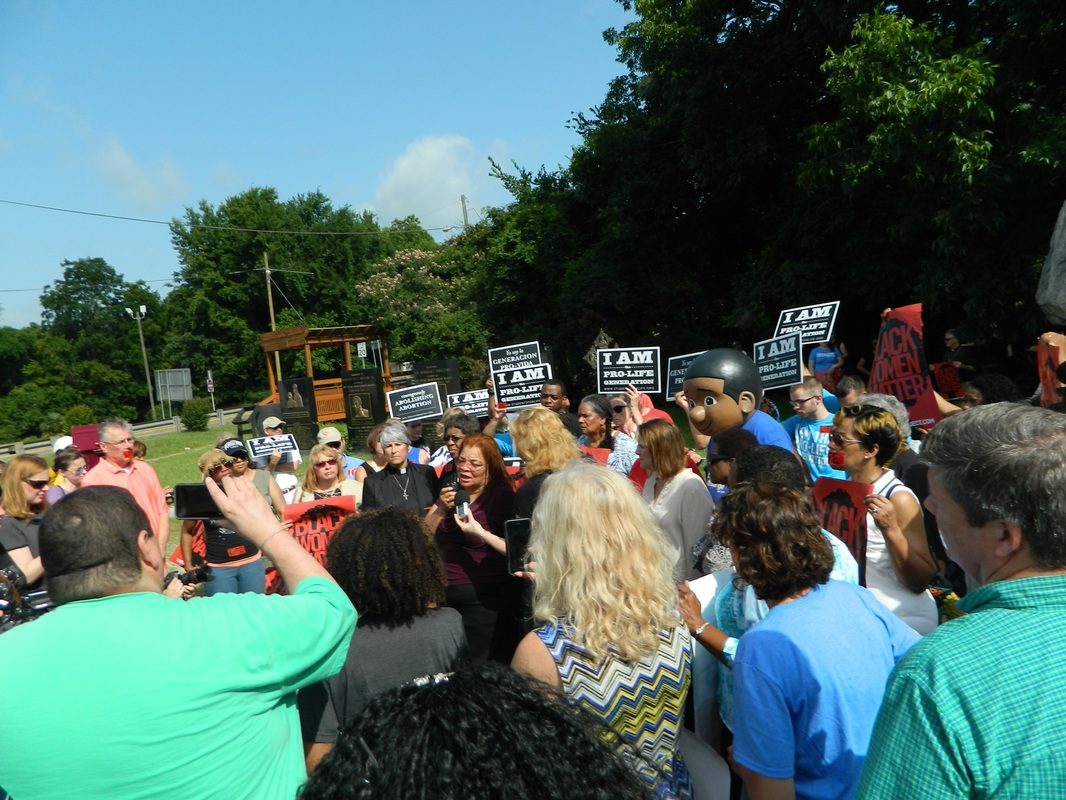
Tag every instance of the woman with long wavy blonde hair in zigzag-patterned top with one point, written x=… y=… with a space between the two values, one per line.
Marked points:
x=611 y=639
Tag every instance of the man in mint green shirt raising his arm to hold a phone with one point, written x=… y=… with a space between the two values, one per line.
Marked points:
x=124 y=694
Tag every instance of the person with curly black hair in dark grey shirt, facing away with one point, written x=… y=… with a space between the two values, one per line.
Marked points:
x=392 y=572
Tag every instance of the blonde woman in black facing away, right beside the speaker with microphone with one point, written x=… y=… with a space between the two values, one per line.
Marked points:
x=546 y=446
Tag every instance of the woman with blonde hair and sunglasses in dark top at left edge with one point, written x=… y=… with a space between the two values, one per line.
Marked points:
x=25 y=485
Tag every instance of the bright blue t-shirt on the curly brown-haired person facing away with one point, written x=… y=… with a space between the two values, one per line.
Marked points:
x=809 y=682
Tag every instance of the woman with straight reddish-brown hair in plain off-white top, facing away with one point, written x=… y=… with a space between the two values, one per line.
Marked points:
x=679 y=498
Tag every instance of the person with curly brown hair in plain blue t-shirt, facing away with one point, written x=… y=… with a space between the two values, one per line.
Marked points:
x=811 y=677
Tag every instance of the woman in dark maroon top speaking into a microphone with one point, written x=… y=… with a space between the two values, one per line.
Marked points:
x=474 y=551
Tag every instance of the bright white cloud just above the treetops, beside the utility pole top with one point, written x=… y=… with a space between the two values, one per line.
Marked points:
x=427 y=181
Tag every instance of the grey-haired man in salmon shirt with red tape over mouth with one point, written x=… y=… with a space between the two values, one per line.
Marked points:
x=119 y=469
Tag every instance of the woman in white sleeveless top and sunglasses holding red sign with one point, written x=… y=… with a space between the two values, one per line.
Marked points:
x=898 y=565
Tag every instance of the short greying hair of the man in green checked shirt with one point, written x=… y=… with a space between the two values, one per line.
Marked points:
x=1008 y=462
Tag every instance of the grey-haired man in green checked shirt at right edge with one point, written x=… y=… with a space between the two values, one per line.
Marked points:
x=979 y=708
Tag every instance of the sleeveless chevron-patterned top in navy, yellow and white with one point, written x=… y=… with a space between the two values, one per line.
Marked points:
x=642 y=702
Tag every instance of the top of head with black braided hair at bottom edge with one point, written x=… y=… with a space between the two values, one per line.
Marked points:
x=483 y=732
